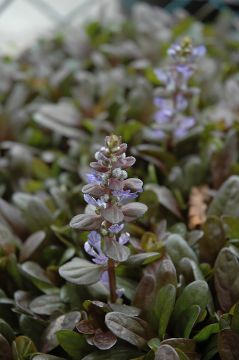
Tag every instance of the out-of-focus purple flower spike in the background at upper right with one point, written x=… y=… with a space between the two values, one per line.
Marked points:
x=173 y=101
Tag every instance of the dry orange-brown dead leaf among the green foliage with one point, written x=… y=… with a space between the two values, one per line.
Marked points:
x=198 y=203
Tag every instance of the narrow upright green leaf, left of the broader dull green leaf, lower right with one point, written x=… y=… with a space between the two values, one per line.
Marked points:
x=164 y=305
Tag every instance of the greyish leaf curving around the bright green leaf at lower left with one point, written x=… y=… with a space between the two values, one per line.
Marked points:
x=63 y=322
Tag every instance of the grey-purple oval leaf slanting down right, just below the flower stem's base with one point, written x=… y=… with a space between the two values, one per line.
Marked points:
x=131 y=329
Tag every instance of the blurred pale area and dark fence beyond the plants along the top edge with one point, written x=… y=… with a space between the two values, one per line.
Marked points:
x=22 y=21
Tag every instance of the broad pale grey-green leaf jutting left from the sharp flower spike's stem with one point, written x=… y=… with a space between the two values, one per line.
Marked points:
x=81 y=272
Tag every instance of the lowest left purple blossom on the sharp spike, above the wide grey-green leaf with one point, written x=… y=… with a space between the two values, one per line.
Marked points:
x=93 y=247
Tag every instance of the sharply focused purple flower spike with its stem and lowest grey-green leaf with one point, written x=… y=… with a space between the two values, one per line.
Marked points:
x=109 y=194
